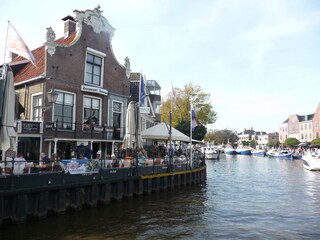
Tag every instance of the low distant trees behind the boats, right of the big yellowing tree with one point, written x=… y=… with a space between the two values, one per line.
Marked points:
x=223 y=136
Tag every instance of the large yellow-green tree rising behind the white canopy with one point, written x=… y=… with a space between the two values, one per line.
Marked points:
x=180 y=107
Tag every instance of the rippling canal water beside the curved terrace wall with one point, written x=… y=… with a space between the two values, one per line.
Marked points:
x=244 y=197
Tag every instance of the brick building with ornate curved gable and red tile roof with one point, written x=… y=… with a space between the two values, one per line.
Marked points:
x=92 y=90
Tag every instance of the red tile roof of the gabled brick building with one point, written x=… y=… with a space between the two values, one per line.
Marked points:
x=29 y=71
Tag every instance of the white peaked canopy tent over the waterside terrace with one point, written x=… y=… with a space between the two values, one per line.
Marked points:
x=161 y=132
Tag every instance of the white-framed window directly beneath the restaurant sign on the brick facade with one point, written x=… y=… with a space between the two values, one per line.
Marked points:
x=91 y=109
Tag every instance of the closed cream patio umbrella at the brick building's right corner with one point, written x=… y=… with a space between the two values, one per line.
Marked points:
x=132 y=129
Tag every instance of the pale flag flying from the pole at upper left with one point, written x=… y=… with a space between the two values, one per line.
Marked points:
x=17 y=45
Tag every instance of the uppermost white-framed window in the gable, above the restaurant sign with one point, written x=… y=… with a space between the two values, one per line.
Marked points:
x=94 y=67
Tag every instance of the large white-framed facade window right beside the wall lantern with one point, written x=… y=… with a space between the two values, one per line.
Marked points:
x=63 y=110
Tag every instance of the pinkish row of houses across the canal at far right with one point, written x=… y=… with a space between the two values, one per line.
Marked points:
x=305 y=128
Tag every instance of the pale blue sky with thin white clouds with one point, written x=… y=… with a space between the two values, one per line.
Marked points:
x=258 y=59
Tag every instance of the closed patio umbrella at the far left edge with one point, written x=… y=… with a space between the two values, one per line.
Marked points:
x=7 y=131
